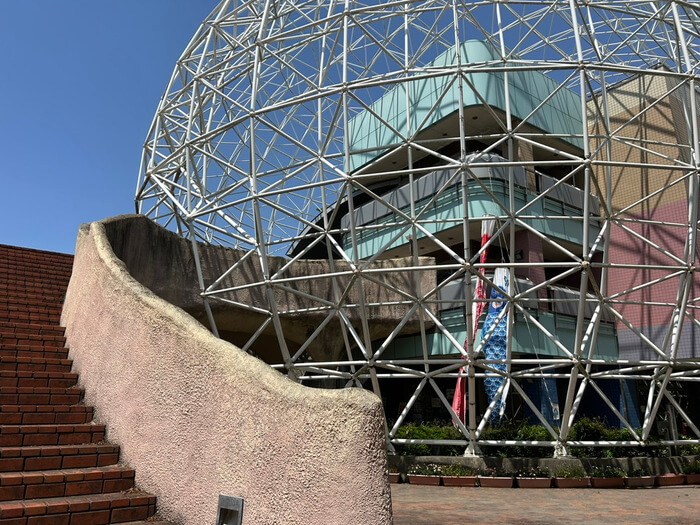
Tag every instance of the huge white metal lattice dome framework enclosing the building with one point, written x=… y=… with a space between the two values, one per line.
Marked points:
x=257 y=144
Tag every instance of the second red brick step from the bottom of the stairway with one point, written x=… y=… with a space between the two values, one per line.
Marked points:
x=69 y=482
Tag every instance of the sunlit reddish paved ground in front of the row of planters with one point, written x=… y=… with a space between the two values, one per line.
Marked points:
x=415 y=504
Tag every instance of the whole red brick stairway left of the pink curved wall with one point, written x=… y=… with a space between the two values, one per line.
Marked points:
x=55 y=467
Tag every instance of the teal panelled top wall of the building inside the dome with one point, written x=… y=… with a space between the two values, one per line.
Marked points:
x=560 y=115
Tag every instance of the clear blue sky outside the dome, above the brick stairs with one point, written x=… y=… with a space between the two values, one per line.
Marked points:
x=79 y=85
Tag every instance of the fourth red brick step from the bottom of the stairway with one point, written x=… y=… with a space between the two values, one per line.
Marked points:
x=33 y=435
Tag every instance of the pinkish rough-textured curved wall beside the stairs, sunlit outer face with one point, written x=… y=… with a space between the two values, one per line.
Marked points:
x=197 y=417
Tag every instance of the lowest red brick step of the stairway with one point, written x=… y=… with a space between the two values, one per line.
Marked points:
x=115 y=507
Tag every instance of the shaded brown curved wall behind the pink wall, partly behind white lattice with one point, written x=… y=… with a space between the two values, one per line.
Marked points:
x=163 y=262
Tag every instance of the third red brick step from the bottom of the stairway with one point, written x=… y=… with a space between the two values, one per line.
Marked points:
x=19 y=459
